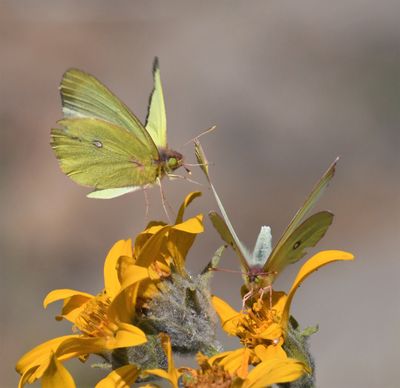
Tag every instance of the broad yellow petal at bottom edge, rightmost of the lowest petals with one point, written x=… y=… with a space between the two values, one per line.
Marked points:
x=273 y=372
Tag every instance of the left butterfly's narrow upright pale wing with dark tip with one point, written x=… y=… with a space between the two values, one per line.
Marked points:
x=156 y=121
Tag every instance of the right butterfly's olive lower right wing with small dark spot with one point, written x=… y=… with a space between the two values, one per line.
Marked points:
x=294 y=248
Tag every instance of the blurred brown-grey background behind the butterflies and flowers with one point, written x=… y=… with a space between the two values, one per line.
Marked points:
x=290 y=85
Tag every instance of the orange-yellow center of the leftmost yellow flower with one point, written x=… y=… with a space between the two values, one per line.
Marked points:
x=94 y=320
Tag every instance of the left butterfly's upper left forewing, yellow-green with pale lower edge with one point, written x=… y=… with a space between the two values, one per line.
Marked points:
x=83 y=96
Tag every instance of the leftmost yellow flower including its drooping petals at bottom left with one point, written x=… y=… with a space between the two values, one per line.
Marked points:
x=103 y=321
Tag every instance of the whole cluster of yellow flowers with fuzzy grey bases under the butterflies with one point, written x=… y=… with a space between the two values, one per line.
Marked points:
x=151 y=307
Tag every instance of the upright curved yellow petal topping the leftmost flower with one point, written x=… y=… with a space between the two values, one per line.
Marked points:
x=111 y=282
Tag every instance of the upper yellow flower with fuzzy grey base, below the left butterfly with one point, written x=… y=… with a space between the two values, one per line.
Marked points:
x=171 y=300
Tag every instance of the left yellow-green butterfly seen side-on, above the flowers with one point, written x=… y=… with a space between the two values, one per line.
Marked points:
x=103 y=145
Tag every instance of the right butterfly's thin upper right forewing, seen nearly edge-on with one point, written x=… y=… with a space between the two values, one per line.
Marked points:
x=315 y=194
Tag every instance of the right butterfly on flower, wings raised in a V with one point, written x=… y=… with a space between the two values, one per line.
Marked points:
x=262 y=266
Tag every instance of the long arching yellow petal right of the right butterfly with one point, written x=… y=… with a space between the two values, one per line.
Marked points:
x=311 y=265
